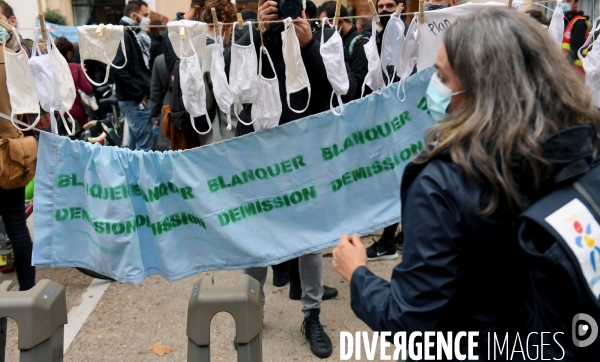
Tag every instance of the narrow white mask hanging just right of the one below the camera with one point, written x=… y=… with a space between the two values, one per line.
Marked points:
x=332 y=53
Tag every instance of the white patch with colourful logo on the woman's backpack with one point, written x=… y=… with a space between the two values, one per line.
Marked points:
x=576 y=224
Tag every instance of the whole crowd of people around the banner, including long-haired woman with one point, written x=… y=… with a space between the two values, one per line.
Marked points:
x=460 y=198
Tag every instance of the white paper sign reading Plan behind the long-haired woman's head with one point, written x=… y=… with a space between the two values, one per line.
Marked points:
x=435 y=24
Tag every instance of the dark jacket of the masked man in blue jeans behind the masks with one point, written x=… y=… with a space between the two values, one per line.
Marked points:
x=133 y=81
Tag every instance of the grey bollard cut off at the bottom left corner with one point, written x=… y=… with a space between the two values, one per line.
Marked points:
x=40 y=314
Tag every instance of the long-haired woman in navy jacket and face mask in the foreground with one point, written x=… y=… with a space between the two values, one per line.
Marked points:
x=497 y=148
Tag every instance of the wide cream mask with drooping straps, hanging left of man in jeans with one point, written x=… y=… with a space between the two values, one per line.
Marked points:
x=101 y=42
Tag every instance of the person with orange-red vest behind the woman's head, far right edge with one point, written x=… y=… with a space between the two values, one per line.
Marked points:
x=576 y=29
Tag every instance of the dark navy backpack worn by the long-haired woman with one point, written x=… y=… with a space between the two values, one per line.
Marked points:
x=559 y=235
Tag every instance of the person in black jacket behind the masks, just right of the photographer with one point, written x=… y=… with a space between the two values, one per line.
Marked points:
x=354 y=52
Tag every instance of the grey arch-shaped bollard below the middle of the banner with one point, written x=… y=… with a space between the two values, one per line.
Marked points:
x=242 y=300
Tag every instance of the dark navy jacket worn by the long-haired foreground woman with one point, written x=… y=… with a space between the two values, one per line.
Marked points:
x=460 y=270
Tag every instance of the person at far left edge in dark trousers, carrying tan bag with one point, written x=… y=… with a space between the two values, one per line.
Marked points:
x=12 y=202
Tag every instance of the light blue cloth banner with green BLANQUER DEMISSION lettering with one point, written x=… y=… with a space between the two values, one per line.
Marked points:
x=255 y=200
